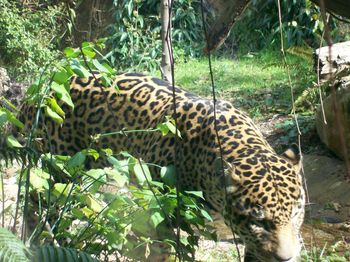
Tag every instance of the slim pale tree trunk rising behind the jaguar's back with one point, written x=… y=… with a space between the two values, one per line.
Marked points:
x=166 y=64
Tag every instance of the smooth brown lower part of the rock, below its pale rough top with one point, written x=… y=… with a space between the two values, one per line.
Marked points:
x=329 y=132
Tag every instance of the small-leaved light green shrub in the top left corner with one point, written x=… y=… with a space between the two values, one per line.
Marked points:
x=28 y=37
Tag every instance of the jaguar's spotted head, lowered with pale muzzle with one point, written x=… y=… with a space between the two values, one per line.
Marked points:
x=265 y=205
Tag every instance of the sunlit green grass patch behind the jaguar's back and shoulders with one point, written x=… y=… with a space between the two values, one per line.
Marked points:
x=258 y=83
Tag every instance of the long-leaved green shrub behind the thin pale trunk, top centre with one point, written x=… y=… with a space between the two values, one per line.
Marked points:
x=135 y=36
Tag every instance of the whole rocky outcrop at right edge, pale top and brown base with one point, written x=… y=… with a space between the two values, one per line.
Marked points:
x=334 y=128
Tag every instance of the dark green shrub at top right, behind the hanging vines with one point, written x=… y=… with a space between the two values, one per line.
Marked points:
x=259 y=27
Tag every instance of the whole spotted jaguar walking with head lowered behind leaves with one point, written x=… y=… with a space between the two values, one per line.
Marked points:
x=258 y=192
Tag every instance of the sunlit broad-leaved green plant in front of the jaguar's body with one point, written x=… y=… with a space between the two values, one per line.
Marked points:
x=126 y=221
